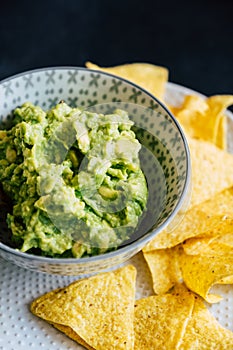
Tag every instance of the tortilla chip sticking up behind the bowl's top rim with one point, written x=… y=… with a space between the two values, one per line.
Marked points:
x=150 y=77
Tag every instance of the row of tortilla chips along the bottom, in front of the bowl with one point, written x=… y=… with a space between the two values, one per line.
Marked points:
x=101 y=312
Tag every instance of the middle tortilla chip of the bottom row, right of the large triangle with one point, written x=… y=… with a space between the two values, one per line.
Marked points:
x=160 y=321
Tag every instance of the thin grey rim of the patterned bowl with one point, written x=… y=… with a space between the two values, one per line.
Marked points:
x=138 y=243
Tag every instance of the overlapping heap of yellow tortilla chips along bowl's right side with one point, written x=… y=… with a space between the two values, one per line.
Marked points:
x=199 y=251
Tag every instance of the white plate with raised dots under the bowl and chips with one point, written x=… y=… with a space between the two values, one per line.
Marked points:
x=19 y=329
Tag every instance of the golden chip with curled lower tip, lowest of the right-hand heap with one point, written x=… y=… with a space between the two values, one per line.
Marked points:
x=201 y=272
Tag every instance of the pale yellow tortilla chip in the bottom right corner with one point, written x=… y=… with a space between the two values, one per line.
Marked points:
x=204 y=332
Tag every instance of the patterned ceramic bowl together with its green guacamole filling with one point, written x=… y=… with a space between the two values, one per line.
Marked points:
x=91 y=168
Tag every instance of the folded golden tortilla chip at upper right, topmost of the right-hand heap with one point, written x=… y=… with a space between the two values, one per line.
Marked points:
x=204 y=118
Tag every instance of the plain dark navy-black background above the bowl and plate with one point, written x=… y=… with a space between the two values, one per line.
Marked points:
x=193 y=39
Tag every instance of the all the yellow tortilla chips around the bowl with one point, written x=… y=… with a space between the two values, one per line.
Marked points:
x=101 y=312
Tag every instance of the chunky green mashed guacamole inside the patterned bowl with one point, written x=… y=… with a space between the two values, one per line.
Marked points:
x=74 y=179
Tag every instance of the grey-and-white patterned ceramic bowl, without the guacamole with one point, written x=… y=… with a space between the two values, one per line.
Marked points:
x=164 y=156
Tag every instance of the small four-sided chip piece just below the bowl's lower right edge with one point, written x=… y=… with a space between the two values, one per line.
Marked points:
x=164 y=268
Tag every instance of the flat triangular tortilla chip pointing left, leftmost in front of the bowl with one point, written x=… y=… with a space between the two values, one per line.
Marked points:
x=99 y=309
